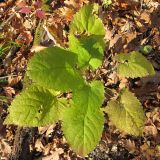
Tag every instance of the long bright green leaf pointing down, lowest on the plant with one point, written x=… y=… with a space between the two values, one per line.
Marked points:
x=83 y=121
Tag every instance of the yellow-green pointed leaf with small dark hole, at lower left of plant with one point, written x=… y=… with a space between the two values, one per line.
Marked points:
x=35 y=106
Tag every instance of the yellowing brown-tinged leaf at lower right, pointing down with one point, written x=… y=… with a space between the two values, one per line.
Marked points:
x=127 y=113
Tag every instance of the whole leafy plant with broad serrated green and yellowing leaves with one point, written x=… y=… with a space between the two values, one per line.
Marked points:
x=56 y=70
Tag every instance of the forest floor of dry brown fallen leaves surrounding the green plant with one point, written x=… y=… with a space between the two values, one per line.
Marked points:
x=129 y=24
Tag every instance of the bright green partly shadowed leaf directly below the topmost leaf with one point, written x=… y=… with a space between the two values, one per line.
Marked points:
x=88 y=49
